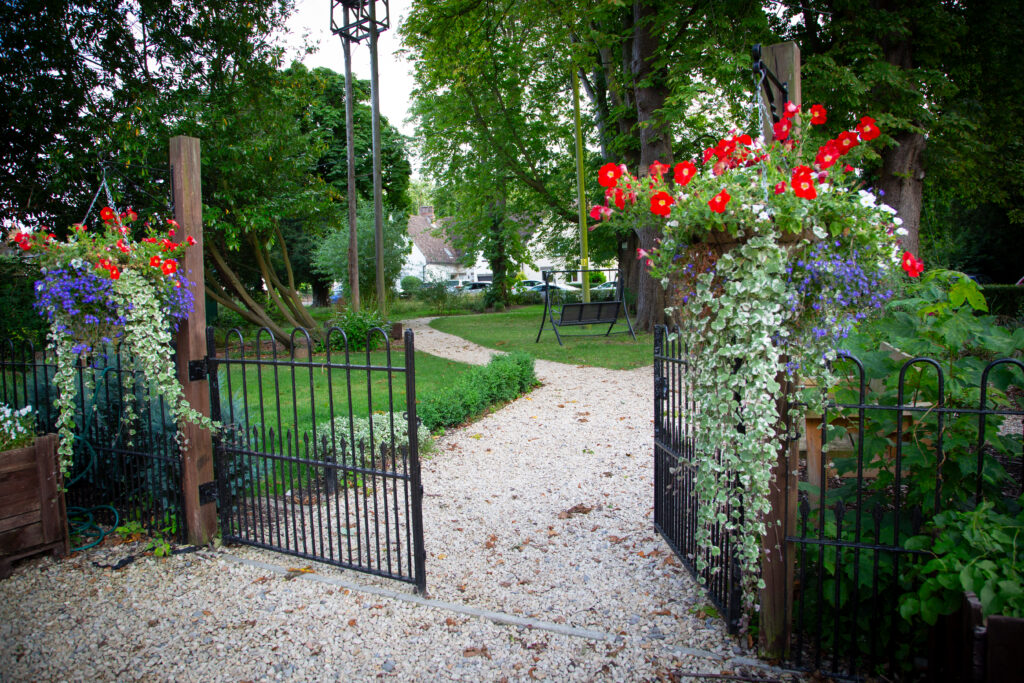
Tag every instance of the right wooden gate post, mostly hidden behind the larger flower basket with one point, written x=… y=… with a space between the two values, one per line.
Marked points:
x=778 y=554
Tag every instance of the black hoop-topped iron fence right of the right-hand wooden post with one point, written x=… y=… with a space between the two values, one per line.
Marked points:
x=887 y=456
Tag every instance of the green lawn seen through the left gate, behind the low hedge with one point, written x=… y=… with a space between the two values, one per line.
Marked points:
x=298 y=398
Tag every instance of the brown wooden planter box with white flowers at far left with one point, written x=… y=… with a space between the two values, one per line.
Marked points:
x=33 y=517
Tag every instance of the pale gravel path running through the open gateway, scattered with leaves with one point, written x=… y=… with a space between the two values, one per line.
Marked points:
x=542 y=564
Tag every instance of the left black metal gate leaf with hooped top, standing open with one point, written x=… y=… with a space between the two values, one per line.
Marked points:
x=315 y=461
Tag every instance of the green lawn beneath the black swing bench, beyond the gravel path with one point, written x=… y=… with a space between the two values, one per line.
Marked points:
x=517 y=331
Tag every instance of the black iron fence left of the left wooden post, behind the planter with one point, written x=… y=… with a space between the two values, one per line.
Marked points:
x=126 y=454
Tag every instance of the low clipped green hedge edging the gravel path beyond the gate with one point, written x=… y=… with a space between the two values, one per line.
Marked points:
x=505 y=378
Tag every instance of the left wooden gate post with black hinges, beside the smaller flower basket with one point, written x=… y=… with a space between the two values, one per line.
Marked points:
x=197 y=453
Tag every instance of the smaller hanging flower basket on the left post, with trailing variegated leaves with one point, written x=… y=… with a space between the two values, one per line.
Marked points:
x=112 y=287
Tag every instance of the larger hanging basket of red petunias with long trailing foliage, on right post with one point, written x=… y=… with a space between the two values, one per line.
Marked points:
x=772 y=253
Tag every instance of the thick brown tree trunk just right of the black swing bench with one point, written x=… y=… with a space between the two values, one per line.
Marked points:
x=656 y=145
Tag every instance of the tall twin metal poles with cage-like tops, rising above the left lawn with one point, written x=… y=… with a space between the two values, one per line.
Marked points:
x=353 y=21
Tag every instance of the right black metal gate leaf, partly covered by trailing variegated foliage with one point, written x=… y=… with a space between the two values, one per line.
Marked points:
x=676 y=502
